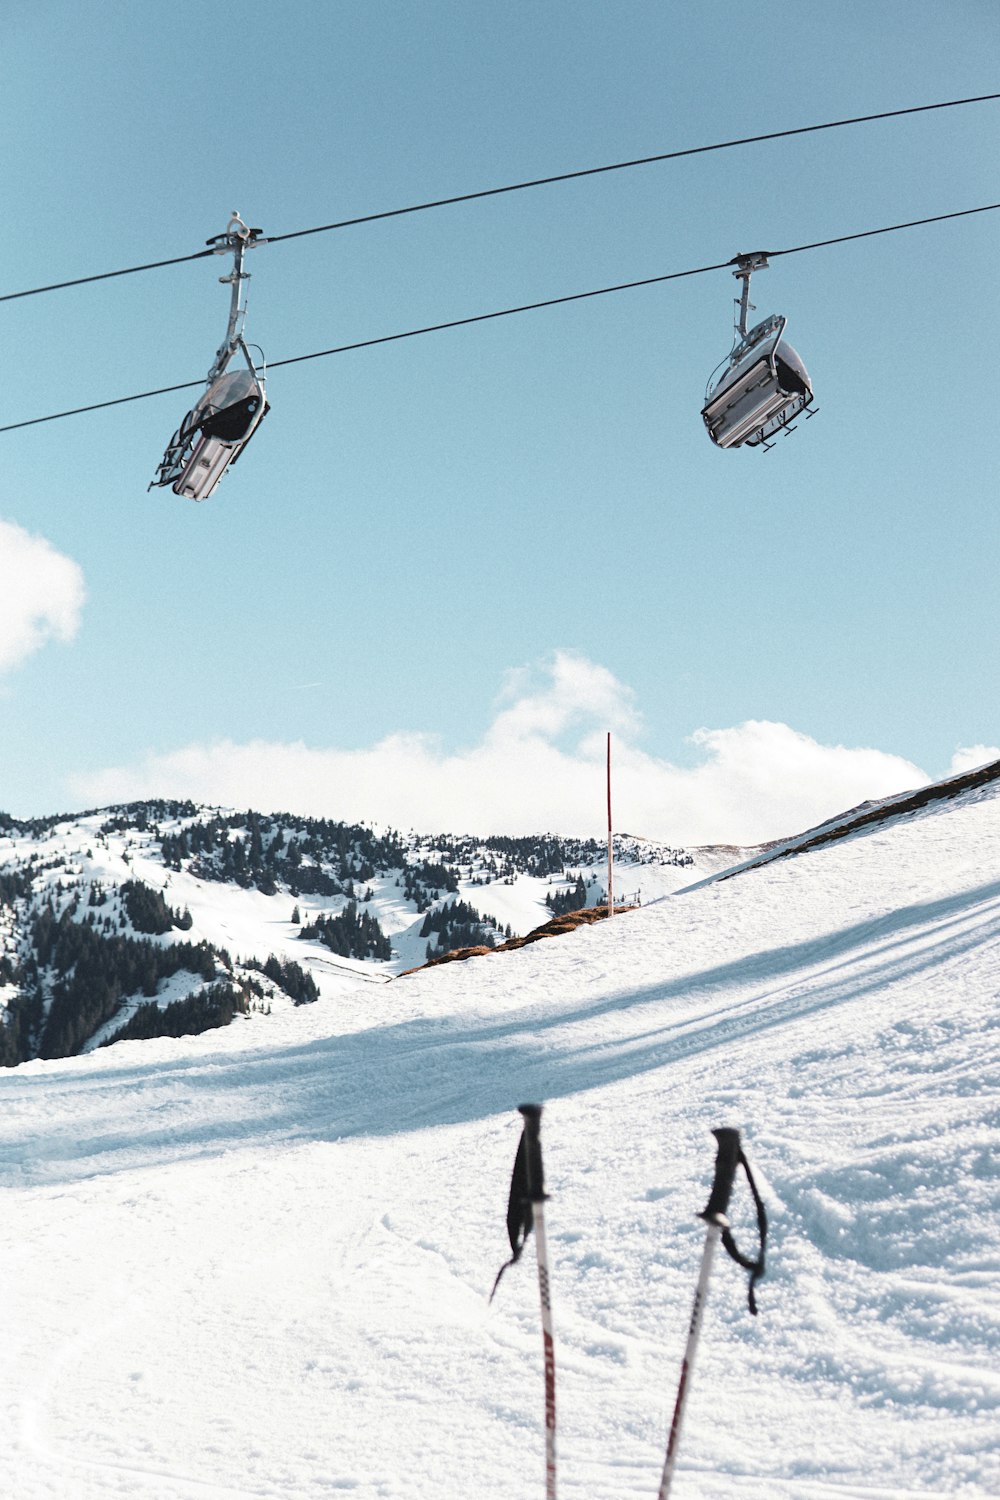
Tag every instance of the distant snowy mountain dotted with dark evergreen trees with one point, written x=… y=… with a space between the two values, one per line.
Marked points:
x=166 y=919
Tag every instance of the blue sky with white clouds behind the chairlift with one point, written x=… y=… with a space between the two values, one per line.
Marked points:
x=428 y=535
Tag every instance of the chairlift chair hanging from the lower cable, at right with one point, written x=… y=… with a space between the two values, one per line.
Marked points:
x=764 y=385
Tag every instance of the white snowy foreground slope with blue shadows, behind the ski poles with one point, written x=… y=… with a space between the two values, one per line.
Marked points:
x=257 y=1262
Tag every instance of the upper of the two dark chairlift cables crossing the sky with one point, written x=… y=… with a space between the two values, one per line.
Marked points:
x=518 y=187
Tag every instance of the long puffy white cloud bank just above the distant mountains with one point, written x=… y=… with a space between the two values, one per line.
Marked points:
x=540 y=767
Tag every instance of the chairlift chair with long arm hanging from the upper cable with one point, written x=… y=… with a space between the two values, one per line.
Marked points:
x=229 y=413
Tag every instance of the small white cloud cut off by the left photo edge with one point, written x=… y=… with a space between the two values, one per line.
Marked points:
x=41 y=595
